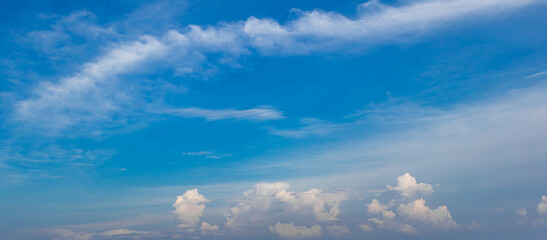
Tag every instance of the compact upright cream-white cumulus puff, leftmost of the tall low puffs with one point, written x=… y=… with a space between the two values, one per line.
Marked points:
x=189 y=208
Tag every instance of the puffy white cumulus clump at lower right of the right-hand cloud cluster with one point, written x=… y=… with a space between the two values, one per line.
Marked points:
x=417 y=211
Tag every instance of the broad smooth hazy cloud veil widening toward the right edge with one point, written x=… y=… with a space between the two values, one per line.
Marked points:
x=501 y=133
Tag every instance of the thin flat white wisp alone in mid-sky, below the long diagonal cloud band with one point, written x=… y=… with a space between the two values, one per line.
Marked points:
x=262 y=113
